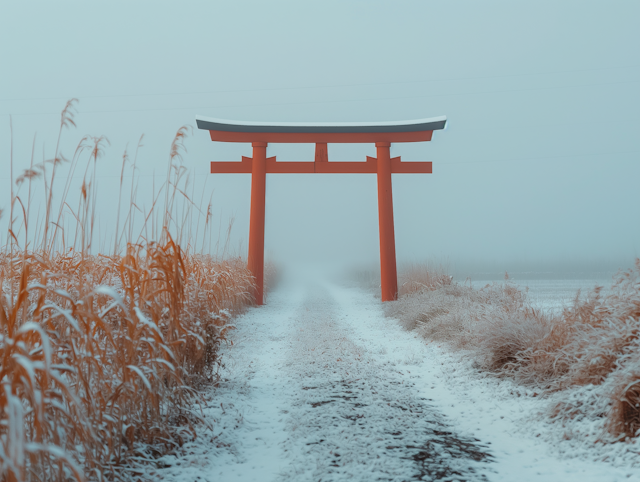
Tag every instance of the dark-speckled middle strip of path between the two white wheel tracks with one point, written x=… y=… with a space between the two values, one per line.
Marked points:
x=352 y=418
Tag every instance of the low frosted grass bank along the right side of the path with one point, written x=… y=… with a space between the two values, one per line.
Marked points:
x=585 y=358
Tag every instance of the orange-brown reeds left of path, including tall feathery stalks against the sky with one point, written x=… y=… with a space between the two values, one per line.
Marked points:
x=101 y=355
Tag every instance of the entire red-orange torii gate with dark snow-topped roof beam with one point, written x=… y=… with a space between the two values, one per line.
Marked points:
x=382 y=134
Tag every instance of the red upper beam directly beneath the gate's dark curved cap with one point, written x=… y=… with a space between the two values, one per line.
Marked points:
x=322 y=138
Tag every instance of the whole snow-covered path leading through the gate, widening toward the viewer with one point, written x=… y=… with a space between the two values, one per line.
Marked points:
x=320 y=386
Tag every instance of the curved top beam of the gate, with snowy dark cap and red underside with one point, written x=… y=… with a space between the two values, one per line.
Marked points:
x=321 y=132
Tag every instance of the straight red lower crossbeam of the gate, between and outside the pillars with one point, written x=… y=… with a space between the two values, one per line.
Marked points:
x=321 y=167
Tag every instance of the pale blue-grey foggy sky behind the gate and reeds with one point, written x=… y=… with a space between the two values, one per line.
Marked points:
x=537 y=170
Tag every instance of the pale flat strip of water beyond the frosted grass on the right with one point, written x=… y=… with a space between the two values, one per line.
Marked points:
x=553 y=294
